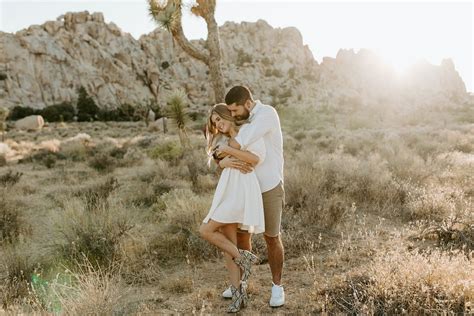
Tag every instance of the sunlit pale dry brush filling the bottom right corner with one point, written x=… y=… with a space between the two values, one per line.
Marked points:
x=401 y=281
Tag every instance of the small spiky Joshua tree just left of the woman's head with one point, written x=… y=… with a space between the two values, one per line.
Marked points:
x=176 y=110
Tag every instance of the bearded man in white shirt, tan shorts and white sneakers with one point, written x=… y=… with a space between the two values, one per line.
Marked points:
x=264 y=123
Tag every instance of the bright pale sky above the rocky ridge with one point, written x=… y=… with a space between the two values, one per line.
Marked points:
x=400 y=32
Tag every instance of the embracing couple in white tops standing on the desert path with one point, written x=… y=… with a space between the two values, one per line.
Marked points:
x=244 y=137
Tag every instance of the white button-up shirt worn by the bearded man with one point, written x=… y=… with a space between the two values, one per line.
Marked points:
x=264 y=122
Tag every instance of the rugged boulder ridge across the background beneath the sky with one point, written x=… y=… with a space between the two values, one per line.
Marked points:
x=46 y=64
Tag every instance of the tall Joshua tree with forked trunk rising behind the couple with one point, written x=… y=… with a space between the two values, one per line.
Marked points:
x=167 y=14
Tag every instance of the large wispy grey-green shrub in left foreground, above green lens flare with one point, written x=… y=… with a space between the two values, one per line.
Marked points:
x=93 y=236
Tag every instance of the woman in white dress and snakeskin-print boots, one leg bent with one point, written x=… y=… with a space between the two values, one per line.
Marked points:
x=237 y=201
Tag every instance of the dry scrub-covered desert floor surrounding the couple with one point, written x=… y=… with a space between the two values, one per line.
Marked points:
x=103 y=217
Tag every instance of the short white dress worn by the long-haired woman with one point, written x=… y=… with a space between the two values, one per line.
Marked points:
x=238 y=198
